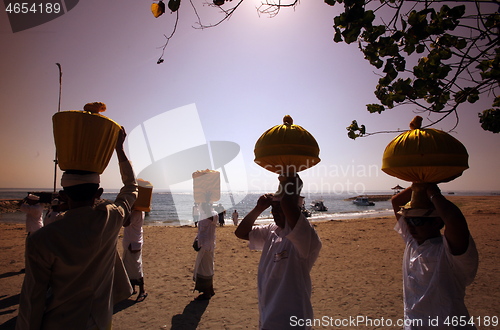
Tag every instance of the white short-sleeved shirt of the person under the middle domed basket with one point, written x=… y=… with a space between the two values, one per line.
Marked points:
x=284 y=282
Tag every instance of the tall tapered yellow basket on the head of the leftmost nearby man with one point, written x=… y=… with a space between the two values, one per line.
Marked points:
x=84 y=141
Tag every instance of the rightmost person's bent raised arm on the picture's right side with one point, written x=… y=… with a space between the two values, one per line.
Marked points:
x=456 y=230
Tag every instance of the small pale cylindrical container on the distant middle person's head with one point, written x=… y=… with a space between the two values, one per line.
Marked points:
x=206 y=186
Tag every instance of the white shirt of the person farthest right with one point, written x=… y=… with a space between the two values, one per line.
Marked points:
x=434 y=280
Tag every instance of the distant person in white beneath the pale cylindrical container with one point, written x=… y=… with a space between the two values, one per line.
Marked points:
x=205 y=240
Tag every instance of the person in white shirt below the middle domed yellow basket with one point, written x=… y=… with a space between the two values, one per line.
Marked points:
x=289 y=246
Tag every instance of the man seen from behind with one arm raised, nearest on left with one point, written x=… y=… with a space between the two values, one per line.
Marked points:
x=74 y=274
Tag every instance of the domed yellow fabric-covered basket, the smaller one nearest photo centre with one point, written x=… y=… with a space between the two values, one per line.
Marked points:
x=287 y=147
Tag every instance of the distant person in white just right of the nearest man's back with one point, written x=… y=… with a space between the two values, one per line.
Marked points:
x=132 y=251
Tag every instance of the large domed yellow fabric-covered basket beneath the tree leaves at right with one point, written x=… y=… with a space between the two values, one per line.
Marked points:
x=425 y=155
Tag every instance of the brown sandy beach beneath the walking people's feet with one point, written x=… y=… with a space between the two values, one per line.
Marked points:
x=358 y=273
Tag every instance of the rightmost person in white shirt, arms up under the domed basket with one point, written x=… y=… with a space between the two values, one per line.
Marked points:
x=436 y=267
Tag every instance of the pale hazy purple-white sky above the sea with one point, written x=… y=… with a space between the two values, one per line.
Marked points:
x=237 y=79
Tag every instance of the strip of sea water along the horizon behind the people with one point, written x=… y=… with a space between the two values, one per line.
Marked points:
x=175 y=209
